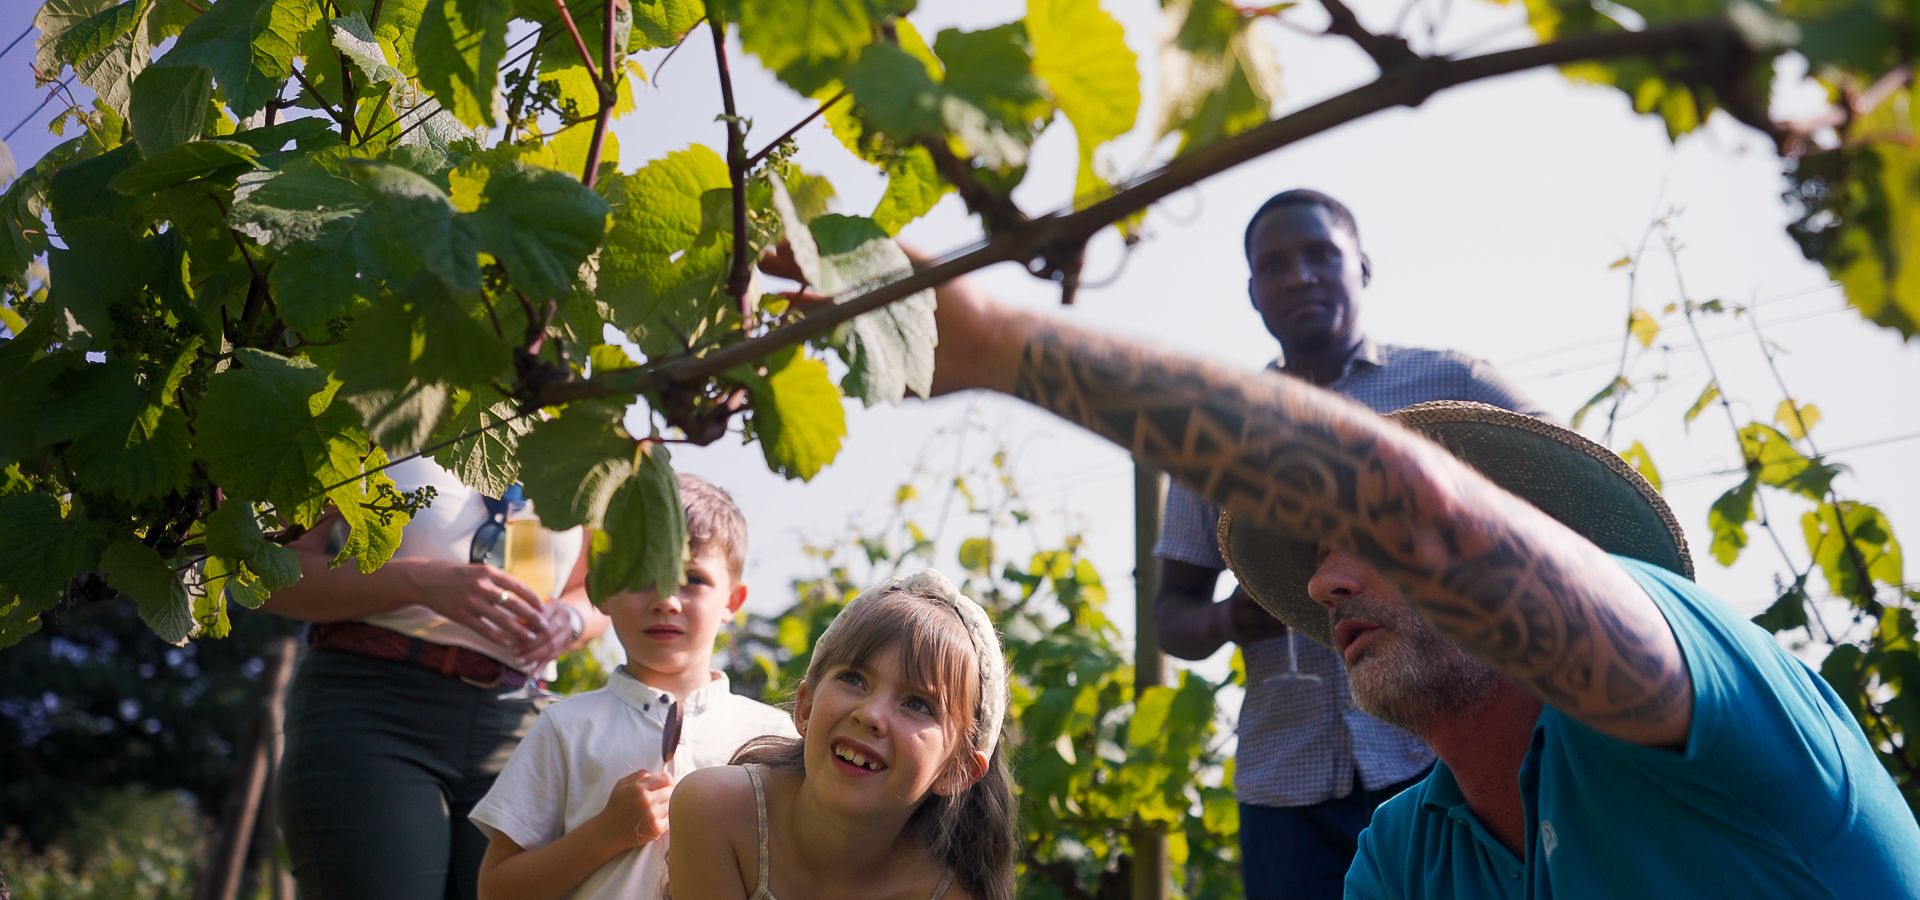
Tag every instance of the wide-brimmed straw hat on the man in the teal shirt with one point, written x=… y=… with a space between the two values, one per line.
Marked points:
x=1568 y=477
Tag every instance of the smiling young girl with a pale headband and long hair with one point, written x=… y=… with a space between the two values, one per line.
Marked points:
x=896 y=788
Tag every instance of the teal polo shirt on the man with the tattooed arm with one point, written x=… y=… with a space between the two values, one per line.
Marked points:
x=1777 y=793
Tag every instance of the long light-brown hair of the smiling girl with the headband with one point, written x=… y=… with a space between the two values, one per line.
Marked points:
x=971 y=832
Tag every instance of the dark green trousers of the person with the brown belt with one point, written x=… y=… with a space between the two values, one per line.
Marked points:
x=383 y=765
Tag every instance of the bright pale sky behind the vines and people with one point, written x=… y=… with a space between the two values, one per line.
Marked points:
x=1491 y=216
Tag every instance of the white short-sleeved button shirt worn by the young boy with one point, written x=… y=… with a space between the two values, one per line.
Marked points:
x=581 y=747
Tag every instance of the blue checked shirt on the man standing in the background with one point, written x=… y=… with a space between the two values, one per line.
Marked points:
x=1301 y=740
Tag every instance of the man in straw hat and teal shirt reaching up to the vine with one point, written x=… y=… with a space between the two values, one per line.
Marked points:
x=1516 y=598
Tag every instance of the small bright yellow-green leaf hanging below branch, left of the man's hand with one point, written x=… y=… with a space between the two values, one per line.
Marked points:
x=798 y=415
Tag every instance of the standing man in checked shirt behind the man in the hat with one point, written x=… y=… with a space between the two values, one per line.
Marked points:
x=1310 y=767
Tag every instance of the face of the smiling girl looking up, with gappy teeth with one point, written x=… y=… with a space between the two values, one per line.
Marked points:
x=876 y=740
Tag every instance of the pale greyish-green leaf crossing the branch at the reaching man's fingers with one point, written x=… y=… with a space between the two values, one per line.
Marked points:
x=892 y=348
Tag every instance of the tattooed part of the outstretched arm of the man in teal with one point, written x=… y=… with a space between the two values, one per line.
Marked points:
x=1491 y=573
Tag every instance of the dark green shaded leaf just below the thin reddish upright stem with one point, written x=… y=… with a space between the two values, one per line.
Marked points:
x=542 y=225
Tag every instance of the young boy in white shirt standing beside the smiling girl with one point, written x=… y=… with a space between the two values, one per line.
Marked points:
x=581 y=809
